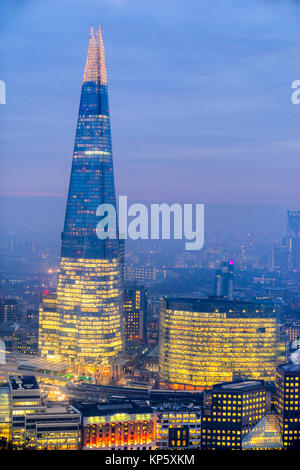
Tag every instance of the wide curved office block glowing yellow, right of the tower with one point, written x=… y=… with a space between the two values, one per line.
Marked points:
x=208 y=341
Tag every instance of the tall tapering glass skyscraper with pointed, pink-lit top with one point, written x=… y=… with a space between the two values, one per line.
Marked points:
x=89 y=300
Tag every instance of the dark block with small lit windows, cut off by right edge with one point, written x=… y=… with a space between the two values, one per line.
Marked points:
x=288 y=403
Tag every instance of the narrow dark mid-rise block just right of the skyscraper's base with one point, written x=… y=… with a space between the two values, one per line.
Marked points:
x=135 y=312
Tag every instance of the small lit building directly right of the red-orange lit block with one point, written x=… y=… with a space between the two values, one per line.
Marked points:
x=178 y=427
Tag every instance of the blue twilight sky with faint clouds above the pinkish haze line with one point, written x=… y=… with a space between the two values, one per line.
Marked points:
x=200 y=96
